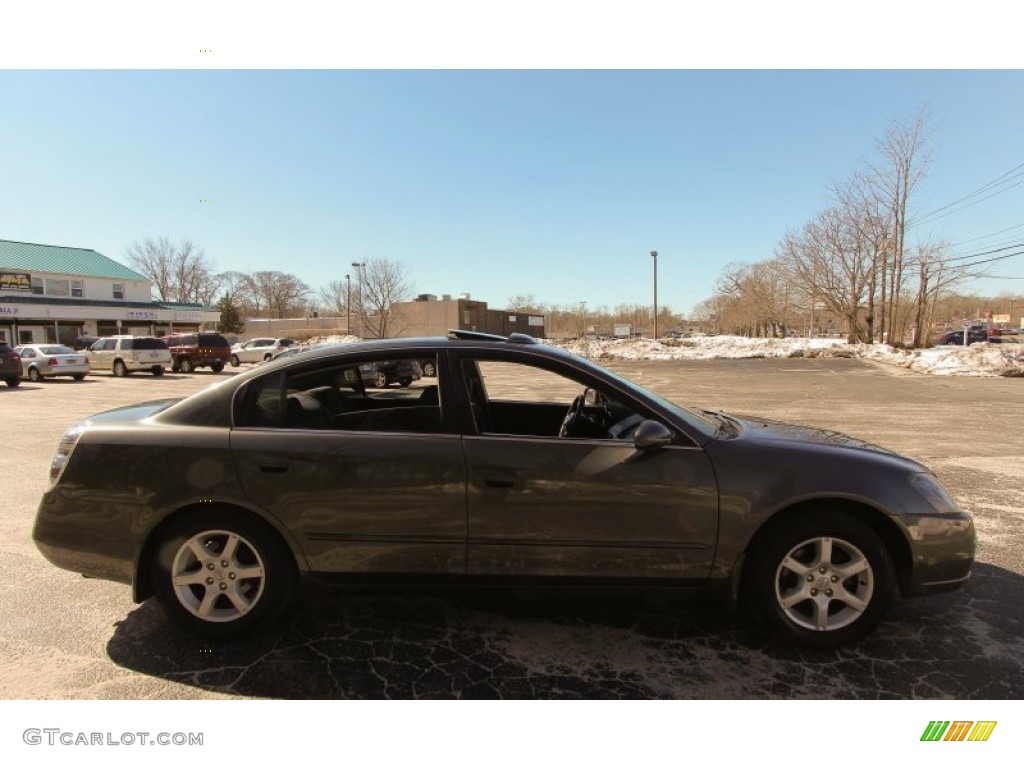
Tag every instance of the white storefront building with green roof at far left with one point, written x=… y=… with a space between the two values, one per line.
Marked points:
x=59 y=293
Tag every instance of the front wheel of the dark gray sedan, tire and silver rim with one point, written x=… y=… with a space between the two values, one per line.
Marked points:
x=824 y=579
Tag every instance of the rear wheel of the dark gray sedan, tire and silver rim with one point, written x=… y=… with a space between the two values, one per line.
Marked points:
x=223 y=574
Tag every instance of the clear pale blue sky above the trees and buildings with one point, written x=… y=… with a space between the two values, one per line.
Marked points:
x=556 y=184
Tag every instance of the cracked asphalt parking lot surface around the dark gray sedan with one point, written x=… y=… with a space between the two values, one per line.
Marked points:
x=65 y=637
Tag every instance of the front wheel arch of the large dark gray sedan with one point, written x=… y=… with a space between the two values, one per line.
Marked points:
x=890 y=534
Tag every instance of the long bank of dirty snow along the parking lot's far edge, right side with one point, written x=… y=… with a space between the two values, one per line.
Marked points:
x=978 y=360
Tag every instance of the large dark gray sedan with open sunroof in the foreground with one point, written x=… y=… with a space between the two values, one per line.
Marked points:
x=523 y=463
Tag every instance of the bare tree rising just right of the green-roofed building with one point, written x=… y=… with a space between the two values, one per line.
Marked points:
x=180 y=273
